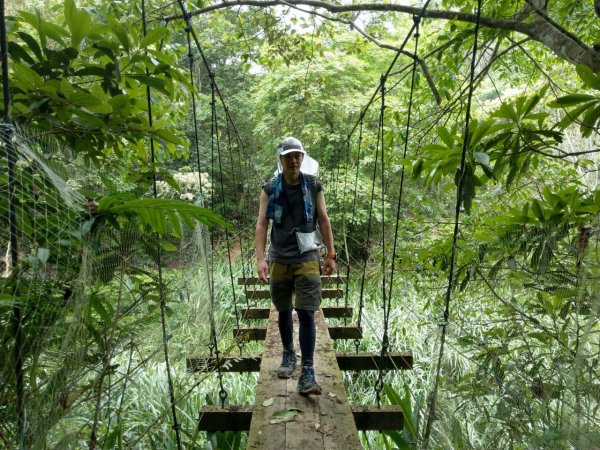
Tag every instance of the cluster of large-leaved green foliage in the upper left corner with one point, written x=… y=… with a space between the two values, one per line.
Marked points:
x=84 y=81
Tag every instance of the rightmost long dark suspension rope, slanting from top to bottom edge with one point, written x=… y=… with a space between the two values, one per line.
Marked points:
x=444 y=325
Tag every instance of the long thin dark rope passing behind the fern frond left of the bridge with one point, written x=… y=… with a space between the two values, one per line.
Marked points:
x=159 y=261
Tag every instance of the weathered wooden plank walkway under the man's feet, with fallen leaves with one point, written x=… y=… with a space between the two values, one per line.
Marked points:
x=325 y=421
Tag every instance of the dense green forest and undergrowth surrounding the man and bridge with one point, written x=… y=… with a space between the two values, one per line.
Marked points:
x=463 y=186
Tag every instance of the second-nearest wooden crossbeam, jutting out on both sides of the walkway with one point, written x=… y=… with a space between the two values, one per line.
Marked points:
x=346 y=361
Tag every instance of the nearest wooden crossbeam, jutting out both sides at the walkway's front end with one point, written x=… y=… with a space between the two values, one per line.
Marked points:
x=238 y=418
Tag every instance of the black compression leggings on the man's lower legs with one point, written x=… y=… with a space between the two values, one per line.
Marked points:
x=307 y=334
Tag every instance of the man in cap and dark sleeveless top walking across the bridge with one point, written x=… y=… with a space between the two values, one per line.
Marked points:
x=294 y=201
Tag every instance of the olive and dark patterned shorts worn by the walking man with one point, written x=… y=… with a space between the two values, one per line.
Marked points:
x=302 y=279
